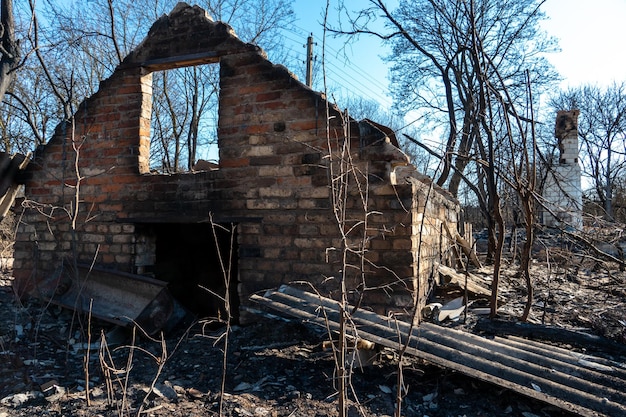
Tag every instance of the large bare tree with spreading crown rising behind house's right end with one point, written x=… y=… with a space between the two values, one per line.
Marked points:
x=435 y=75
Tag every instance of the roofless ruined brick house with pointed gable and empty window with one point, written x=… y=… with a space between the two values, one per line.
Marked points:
x=271 y=191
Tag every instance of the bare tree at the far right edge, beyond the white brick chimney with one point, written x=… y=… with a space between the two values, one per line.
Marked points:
x=602 y=134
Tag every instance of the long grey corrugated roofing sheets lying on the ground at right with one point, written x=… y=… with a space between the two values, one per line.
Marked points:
x=577 y=383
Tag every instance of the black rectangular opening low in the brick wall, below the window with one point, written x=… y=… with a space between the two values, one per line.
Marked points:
x=194 y=260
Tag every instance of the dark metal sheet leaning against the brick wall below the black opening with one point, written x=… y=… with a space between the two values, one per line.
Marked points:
x=117 y=297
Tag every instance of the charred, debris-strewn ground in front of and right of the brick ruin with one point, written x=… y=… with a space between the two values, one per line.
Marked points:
x=274 y=367
